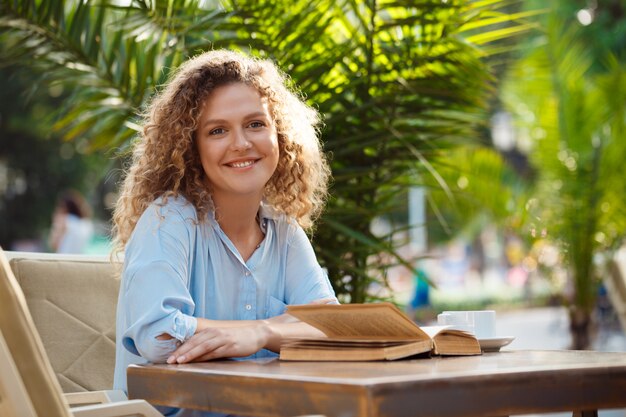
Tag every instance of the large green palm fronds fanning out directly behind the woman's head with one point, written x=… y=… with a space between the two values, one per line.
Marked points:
x=399 y=83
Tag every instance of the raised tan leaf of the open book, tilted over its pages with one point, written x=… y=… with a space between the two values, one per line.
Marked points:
x=376 y=320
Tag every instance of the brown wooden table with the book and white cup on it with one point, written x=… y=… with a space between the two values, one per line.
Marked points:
x=494 y=384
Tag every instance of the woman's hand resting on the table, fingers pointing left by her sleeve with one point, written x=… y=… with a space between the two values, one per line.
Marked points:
x=214 y=343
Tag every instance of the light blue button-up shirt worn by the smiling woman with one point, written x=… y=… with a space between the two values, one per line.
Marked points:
x=177 y=268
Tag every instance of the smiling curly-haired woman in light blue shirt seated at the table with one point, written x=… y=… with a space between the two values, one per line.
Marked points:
x=226 y=175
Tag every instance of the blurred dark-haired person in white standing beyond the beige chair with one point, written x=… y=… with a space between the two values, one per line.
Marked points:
x=72 y=227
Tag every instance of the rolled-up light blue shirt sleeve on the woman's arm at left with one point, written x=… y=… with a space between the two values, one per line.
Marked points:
x=156 y=285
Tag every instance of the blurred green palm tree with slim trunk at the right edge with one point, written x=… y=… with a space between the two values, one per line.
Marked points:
x=575 y=116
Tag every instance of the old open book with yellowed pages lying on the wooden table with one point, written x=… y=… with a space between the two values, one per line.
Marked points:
x=365 y=332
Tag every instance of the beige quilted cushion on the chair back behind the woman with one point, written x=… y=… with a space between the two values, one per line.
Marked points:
x=73 y=303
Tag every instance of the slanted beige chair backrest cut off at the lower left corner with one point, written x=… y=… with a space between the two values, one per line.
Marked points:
x=24 y=356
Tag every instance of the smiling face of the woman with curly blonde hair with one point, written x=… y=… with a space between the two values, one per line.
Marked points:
x=237 y=142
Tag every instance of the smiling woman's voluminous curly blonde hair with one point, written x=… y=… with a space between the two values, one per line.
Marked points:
x=166 y=162
